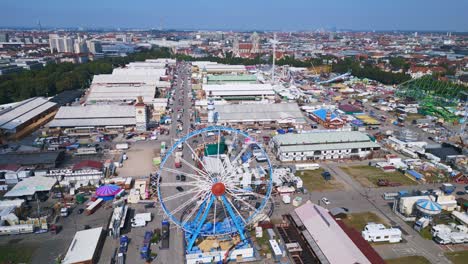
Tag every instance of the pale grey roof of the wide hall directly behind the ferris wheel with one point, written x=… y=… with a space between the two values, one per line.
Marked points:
x=282 y=113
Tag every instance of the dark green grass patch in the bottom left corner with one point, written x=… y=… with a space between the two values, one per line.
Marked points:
x=13 y=254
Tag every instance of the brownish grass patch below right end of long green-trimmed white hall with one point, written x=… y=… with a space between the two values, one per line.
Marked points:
x=368 y=176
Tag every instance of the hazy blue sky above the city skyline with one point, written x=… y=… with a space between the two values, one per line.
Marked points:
x=240 y=14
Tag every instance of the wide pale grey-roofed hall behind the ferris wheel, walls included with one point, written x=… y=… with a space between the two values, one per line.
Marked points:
x=260 y=115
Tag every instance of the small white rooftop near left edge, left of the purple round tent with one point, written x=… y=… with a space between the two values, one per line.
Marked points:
x=29 y=186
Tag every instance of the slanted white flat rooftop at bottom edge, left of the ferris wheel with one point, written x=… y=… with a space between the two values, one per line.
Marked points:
x=83 y=246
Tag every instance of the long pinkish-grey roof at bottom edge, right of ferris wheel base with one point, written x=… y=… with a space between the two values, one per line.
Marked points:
x=330 y=238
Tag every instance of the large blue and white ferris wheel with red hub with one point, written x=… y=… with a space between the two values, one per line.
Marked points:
x=213 y=182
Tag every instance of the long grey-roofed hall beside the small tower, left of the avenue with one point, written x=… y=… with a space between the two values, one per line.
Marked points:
x=85 y=120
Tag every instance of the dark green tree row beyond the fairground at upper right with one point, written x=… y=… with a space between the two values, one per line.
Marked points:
x=367 y=70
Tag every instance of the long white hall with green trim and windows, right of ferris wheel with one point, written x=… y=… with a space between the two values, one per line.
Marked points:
x=323 y=145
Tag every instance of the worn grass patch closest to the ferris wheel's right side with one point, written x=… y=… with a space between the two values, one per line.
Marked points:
x=313 y=181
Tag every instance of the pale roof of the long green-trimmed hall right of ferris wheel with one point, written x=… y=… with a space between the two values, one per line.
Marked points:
x=328 y=137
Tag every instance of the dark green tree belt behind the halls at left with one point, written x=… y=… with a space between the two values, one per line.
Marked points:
x=55 y=78
